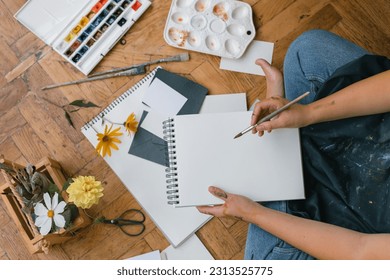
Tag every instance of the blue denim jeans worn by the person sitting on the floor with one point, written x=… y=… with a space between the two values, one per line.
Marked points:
x=310 y=61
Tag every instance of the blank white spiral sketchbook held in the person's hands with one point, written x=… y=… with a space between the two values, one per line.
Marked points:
x=203 y=153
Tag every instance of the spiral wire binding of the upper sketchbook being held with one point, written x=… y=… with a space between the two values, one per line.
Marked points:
x=171 y=171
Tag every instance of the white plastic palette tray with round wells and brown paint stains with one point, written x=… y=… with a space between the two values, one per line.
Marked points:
x=221 y=28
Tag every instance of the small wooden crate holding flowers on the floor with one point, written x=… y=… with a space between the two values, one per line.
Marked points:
x=34 y=241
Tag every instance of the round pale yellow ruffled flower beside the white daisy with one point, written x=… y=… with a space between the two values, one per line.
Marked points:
x=85 y=191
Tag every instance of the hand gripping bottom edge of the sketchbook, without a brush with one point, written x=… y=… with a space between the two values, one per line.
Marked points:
x=236 y=206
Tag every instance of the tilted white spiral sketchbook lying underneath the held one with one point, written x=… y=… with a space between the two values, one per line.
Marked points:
x=143 y=178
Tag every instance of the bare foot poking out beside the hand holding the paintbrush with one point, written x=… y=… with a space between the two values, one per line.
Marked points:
x=274 y=79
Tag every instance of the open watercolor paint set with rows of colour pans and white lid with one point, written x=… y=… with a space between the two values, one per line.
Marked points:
x=81 y=31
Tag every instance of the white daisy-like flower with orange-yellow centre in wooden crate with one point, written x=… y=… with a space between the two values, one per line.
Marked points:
x=46 y=214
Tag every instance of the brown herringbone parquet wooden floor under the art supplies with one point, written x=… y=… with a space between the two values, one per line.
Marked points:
x=33 y=126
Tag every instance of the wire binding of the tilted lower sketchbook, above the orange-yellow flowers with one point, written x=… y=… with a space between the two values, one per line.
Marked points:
x=118 y=100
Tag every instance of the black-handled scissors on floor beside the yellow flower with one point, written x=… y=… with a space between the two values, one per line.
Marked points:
x=131 y=222
